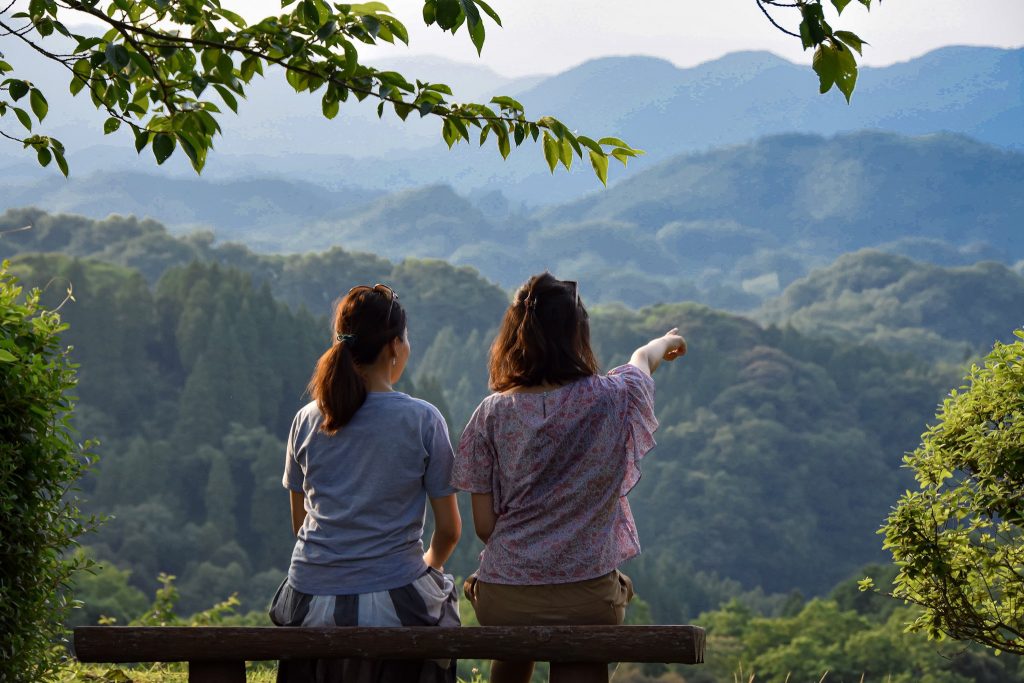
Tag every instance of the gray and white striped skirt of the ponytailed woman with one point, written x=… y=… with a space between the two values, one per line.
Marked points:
x=431 y=601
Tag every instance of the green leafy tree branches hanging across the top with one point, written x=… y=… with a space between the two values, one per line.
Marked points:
x=164 y=71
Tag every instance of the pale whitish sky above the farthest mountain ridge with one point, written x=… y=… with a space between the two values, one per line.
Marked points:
x=550 y=36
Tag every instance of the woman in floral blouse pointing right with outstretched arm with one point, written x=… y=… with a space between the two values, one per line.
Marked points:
x=549 y=459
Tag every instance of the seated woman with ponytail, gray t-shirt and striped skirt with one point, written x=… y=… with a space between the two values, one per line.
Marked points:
x=363 y=461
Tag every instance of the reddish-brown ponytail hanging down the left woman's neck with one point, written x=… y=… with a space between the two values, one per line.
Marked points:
x=338 y=390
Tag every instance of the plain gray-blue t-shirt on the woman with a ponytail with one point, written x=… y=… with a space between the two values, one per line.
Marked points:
x=366 y=490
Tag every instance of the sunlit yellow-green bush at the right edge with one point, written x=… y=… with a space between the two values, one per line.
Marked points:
x=959 y=541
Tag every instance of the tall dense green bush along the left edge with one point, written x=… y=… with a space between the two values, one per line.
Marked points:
x=39 y=464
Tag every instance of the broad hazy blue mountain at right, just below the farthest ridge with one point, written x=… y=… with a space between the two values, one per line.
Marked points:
x=829 y=195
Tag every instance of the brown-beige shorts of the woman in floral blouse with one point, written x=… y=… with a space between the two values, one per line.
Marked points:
x=595 y=602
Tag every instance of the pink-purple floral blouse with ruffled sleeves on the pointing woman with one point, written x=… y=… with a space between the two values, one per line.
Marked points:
x=560 y=465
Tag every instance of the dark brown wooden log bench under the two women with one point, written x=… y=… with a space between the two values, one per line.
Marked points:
x=220 y=654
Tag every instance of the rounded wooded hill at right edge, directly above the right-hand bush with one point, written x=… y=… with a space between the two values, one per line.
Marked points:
x=905 y=306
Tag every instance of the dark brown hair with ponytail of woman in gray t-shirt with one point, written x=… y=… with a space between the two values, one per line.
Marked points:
x=365 y=321
